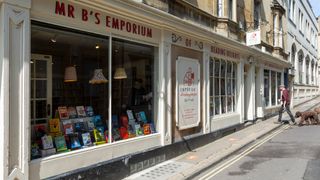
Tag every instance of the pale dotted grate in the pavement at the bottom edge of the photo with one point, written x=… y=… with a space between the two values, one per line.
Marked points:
x=161 y=171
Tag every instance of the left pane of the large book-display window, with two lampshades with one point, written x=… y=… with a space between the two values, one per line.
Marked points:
x=73 y=109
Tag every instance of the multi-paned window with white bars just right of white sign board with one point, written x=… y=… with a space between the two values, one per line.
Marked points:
x=222 y=86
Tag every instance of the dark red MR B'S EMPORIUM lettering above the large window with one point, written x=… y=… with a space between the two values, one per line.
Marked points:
x=70 y=11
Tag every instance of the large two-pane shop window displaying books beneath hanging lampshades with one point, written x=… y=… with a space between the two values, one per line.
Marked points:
x=70 y=90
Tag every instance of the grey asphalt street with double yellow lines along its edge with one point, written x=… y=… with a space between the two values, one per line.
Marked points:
x=291 y=152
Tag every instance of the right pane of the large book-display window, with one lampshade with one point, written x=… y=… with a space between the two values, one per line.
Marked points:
x=132 y=88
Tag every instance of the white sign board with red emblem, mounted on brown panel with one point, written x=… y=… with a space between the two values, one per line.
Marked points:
x=188 y=92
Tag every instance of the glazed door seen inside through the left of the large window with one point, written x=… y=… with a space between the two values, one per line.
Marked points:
x=41 y=88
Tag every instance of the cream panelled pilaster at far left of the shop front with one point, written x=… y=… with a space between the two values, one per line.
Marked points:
x=15 y=88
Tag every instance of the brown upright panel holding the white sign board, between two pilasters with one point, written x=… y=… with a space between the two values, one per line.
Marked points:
x=194 y=57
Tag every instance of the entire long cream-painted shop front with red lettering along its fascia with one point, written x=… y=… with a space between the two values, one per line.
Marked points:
x=40 y=38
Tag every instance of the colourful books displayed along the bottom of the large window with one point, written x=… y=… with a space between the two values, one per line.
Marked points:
x=77 y=127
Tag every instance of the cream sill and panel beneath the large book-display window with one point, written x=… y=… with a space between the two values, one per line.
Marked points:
x=56 y=164
